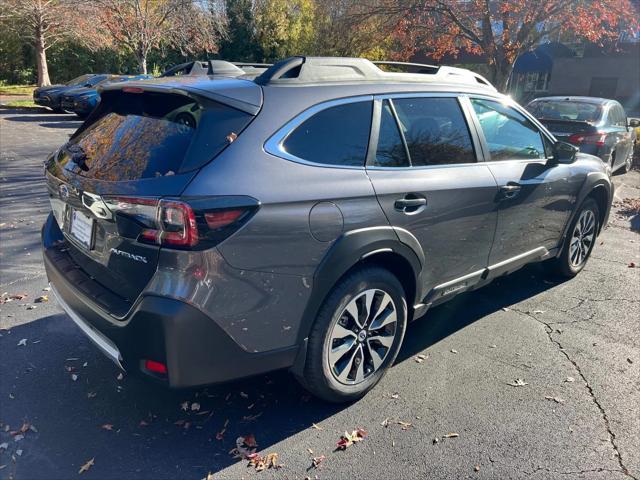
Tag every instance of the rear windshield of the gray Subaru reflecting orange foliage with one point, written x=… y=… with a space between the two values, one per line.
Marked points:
x=146 y=135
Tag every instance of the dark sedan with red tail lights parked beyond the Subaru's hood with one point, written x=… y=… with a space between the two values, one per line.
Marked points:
x=595 y=125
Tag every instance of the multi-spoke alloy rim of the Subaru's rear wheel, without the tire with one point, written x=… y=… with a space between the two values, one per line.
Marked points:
x=362 y=337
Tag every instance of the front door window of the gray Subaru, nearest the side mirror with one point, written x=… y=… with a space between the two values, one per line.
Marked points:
x=508 y=133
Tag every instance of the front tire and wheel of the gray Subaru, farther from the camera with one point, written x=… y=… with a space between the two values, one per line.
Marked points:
x=579 y=243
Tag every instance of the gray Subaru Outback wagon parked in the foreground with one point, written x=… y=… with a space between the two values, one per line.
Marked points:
x=204 y=230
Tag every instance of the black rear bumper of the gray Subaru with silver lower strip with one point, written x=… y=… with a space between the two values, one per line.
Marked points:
x=192 y=345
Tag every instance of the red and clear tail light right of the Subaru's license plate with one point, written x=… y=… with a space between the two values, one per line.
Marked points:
x=199 y=224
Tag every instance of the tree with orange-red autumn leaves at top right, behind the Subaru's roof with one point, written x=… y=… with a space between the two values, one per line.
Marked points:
x=500 y=30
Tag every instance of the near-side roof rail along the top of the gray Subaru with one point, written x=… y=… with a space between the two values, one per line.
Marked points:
x=310 y=70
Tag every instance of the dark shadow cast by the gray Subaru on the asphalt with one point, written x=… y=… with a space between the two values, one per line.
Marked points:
x=81 y=409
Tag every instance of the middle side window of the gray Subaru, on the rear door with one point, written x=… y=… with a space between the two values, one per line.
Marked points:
x=435 y=131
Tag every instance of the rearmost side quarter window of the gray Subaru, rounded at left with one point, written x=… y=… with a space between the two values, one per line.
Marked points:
x=337 y=135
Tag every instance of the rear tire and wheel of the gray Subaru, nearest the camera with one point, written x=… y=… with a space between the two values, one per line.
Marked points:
x=340 y=364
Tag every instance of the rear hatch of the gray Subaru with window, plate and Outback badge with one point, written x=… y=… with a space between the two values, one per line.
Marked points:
x=139 y=149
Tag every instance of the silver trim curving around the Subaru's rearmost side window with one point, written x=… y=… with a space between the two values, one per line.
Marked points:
x=275 y=144
